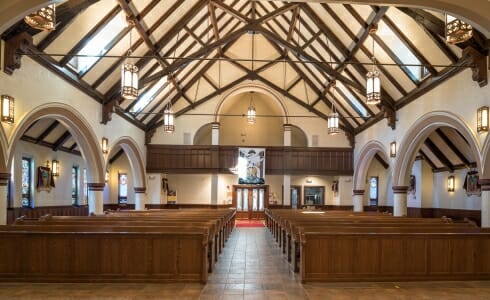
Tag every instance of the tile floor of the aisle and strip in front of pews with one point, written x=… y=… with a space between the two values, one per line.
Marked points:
x=251 y=267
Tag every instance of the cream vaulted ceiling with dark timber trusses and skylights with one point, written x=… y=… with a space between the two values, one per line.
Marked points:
x=188 y=52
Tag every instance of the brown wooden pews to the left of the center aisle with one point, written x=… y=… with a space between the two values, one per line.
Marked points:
x=120 y=246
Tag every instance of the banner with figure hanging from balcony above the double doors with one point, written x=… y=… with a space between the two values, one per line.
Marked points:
x=251 y=165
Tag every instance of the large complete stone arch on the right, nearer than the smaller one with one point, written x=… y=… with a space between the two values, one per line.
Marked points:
x=417 y=134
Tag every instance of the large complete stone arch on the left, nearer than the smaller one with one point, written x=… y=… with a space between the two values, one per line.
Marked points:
x=78 y=127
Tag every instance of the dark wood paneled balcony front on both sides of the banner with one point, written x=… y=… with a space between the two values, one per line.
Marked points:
x=221 y=159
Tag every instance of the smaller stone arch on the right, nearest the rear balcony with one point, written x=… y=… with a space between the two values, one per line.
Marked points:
x=365 y=156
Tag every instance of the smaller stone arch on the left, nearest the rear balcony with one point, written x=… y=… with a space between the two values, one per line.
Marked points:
x=130 y=148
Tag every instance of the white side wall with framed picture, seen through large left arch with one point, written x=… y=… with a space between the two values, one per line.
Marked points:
x=60 y=195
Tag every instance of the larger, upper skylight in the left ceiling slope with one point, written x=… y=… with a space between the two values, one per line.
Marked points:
x=97 y=45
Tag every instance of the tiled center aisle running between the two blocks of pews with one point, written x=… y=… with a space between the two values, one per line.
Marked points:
x=252 y=267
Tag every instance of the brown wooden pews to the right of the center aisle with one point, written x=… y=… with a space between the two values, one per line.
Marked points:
x=347 y=246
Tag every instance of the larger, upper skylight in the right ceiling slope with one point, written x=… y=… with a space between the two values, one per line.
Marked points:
x=404 y=54
